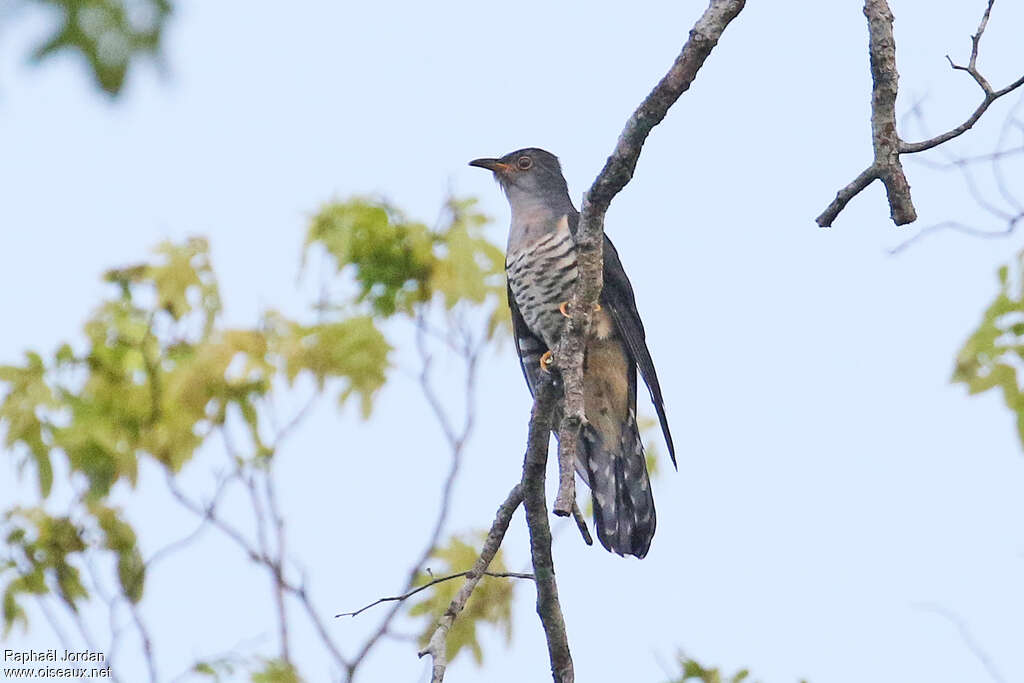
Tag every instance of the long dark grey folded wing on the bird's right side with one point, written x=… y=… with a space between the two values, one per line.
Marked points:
x=618 y=296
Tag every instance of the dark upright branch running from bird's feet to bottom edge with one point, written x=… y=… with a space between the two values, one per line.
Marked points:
x=548 y=608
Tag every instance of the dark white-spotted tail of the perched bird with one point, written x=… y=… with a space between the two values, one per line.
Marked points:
x=624 y=505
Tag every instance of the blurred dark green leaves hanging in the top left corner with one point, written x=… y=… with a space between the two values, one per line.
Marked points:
x=109 y=34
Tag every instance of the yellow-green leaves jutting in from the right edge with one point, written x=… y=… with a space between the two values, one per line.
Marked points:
x=993 y=354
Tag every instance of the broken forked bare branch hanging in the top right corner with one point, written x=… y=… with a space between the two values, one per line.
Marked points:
x=885 y=138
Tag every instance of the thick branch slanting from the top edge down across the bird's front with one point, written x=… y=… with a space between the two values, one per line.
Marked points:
x=617 y=174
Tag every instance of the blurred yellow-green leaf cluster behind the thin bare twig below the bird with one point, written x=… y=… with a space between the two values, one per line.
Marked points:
x=490 y=604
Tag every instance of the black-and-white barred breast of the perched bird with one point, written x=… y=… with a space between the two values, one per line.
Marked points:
x=541 y=275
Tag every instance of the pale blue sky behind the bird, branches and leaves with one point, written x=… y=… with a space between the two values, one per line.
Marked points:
x=830 y=479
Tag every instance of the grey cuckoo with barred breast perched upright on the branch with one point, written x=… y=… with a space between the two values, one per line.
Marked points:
x=541 y=272
